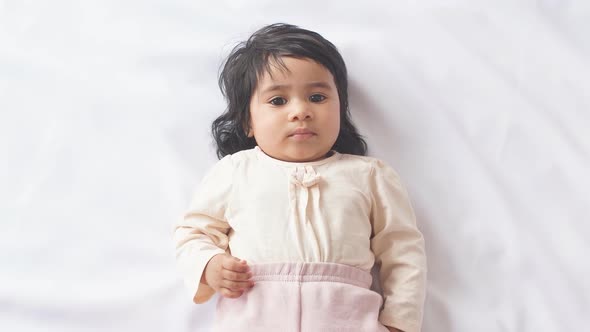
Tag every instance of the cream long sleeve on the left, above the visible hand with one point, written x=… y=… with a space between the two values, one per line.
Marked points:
x=203 y=232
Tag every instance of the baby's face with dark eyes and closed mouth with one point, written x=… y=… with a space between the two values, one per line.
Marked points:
x=295 y=113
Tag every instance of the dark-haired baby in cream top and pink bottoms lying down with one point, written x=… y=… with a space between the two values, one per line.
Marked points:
x=288 y=224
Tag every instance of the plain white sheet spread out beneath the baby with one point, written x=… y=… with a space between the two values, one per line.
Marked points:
x=105 y=109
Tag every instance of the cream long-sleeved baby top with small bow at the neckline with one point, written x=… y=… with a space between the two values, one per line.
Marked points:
x=343 y=209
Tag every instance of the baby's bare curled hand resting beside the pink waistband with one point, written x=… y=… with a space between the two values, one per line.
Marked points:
x=228 y=275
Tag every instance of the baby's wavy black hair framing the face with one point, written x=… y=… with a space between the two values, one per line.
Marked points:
x=248 y=61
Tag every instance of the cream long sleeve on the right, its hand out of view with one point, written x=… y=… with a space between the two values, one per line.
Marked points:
x=398 y=246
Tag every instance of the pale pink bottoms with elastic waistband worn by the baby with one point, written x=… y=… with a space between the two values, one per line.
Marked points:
x=303 y=297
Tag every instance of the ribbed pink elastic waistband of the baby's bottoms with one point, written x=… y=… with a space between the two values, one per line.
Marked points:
x=311 y=272
